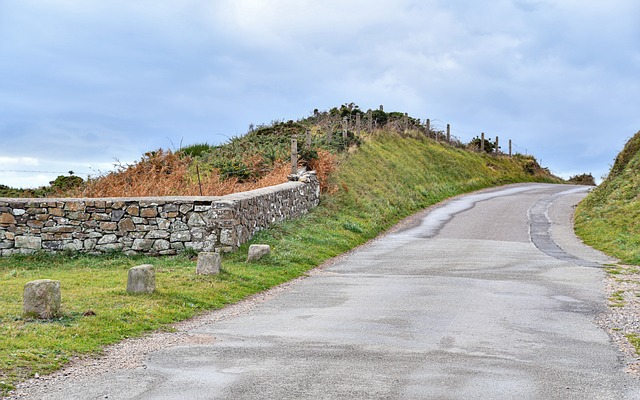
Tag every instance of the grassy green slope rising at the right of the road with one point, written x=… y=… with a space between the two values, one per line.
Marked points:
x=609 y=218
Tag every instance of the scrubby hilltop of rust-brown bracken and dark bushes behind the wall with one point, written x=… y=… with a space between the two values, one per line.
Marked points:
x=259 y=158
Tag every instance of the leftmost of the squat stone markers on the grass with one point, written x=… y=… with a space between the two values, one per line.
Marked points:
x=42 y=299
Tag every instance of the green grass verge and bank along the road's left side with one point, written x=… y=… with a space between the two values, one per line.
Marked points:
x=385 y=180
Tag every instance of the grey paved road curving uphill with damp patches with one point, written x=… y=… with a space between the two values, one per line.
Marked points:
x=488 y=296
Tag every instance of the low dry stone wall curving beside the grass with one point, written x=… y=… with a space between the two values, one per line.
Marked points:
x=156 y=226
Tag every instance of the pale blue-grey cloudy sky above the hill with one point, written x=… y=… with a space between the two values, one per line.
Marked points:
x=86 y=83
